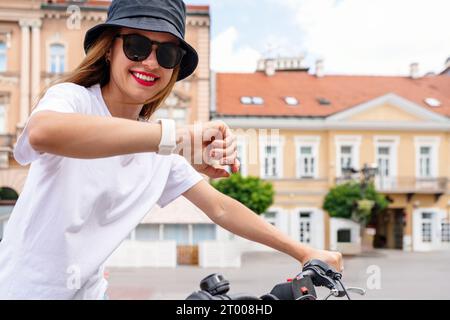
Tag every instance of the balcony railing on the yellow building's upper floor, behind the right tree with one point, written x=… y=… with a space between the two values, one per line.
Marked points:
x=407 y=184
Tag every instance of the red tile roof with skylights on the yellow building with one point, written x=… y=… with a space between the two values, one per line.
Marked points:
x=343 y=92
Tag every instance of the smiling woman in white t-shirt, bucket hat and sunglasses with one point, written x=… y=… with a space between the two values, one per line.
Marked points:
x=96 y=170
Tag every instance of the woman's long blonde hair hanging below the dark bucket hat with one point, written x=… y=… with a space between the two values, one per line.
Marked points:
x=95 y=69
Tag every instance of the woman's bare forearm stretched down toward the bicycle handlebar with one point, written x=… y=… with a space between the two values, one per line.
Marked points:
x=241 y=221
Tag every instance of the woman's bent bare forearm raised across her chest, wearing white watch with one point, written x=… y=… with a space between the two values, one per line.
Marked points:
x=86 y=136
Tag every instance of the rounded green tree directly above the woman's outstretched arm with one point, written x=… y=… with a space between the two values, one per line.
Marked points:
x=252 y=192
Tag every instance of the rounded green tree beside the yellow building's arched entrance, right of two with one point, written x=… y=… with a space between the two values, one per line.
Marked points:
x=353 y=201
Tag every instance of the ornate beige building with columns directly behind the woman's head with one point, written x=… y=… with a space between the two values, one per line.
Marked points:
x=40 y=40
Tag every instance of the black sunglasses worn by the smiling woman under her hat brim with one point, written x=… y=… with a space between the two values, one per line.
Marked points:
x=138 y=48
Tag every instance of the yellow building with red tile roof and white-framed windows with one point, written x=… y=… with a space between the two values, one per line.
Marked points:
x=300 y=130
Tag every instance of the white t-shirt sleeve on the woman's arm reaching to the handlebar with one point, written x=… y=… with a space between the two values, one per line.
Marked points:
x=181 y=178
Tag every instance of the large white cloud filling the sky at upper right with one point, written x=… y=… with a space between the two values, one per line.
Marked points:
x=375 y=37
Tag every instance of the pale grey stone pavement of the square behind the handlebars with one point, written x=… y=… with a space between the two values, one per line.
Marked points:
x=385 y=274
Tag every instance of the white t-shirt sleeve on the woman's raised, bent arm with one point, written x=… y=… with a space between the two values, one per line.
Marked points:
x=60 y=98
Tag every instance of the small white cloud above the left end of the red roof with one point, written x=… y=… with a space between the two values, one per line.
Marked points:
x=225 y=57
